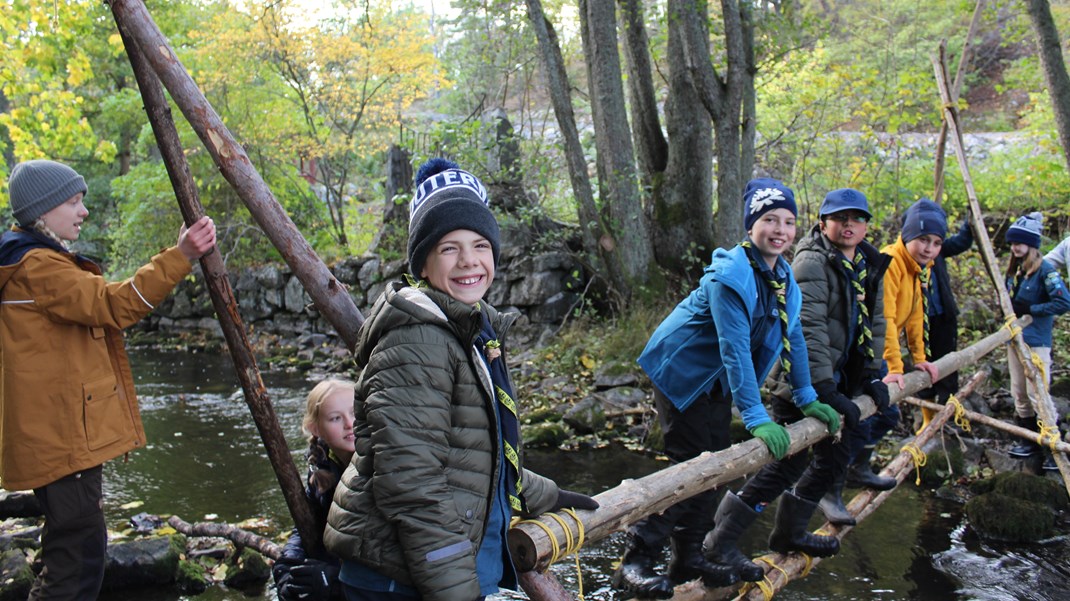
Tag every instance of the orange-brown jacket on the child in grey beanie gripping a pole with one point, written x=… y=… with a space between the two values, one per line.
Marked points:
x=67 y=399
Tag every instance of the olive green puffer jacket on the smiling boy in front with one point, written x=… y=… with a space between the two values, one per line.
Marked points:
x=414 y=504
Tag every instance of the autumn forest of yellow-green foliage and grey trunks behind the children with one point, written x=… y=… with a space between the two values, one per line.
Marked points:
x=674 y=104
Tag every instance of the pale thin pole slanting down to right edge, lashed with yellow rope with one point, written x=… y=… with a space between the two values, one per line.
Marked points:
x=1045 y=407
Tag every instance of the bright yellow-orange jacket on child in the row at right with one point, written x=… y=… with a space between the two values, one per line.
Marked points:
x=904 y=307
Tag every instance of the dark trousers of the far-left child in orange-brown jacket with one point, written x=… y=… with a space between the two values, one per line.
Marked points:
x=74 y=540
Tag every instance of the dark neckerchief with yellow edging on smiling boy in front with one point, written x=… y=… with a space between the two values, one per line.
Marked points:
x=491 y=349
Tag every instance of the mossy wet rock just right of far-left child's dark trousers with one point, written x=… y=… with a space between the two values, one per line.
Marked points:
x=143 y=562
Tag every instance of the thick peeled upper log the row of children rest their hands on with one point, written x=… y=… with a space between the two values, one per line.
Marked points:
x=632 y=501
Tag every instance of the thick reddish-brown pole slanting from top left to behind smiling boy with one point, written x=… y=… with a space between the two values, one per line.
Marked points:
x=328 y=294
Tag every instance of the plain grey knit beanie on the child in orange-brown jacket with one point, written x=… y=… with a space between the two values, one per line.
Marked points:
x=39 y=187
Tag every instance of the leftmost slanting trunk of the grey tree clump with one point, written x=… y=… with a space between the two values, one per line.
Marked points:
x=597 y=240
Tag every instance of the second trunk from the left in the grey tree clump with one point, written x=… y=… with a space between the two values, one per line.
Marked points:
x=618 y=183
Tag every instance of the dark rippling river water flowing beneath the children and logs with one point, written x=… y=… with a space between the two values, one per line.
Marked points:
x=205 y=461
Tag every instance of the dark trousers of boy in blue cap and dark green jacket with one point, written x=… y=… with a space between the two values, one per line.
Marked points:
x=815 y=475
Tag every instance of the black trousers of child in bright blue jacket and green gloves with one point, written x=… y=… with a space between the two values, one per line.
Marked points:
x=702 y=427
